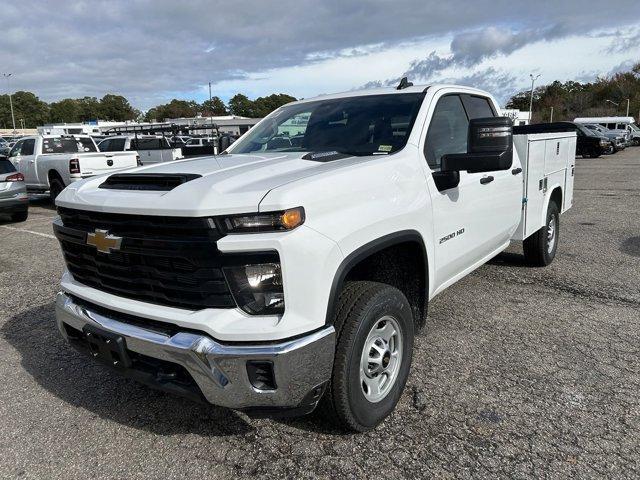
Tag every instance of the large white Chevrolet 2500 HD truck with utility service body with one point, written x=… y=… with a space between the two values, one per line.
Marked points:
x=275 y=278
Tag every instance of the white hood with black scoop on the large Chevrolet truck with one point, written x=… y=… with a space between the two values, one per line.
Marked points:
x=229 y=184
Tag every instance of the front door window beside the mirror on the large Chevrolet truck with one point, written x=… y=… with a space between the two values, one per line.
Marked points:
x=447 y=131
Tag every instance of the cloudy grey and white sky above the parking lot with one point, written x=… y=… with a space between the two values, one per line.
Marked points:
x=152 y=51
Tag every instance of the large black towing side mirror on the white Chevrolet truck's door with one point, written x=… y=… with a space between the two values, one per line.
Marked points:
x=489 y=147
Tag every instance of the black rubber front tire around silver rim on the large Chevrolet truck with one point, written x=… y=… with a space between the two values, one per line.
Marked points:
x=361 y=307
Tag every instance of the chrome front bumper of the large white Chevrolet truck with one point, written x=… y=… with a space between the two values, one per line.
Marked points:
x=219 y=372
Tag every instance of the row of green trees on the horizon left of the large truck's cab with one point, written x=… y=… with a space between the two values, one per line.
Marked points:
x=32 y=112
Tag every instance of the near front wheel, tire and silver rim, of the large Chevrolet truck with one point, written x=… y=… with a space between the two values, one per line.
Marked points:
x=374 y=346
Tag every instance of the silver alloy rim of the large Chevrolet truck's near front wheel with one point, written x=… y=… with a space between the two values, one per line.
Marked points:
x=381 y=359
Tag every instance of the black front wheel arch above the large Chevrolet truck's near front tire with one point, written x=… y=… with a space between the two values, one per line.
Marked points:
x=409 y=241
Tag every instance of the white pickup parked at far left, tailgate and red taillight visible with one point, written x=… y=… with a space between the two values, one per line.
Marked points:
x=52 y=162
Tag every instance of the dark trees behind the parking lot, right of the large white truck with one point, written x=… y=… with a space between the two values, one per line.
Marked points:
x=606 y=96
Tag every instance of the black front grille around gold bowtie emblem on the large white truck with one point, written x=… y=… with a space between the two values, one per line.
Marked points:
x=162 y=260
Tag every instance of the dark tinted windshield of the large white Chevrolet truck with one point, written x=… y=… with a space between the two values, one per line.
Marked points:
x=367 y=125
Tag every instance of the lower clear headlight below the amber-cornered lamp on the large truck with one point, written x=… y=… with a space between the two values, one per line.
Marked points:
x=257 y=289
